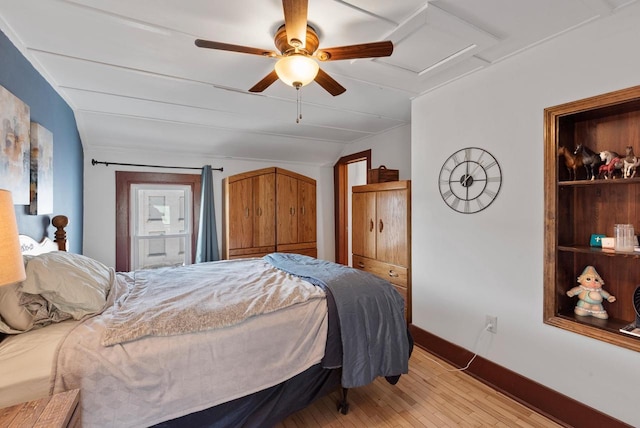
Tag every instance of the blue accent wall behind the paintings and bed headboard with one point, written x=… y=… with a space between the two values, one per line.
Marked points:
x=20 y=78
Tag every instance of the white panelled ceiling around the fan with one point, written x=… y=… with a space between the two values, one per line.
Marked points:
x=135 y=79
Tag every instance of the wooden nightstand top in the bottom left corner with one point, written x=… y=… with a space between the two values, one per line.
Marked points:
x=59 y=410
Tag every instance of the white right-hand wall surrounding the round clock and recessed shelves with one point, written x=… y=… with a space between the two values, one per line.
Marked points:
x=468 y=266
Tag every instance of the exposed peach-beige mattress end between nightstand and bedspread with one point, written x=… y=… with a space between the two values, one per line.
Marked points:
x=26 y=361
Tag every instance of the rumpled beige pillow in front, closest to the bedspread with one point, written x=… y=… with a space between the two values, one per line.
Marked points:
x=73 y=283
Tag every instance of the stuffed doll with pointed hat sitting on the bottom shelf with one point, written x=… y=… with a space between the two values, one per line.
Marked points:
x=590 y=294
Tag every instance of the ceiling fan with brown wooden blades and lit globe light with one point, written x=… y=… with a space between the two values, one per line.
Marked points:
x=297 y=43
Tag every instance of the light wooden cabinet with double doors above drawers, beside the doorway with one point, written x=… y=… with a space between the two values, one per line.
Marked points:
x=381 y=233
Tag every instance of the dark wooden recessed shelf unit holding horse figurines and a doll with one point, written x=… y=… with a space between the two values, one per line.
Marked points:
x=576 y=208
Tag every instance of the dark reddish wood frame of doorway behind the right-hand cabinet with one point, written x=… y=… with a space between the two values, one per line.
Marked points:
x=341 y=192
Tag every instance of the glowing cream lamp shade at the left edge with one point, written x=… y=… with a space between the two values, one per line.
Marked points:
x=11 y=264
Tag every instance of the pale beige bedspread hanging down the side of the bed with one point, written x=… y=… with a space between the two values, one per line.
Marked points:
x=156 y=378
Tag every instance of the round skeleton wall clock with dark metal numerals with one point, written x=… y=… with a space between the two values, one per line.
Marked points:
x=470 y=180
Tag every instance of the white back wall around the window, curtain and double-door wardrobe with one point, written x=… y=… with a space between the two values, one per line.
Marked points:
x=99 y=195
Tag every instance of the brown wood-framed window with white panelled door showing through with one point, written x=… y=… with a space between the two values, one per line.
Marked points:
x=156 y=219
